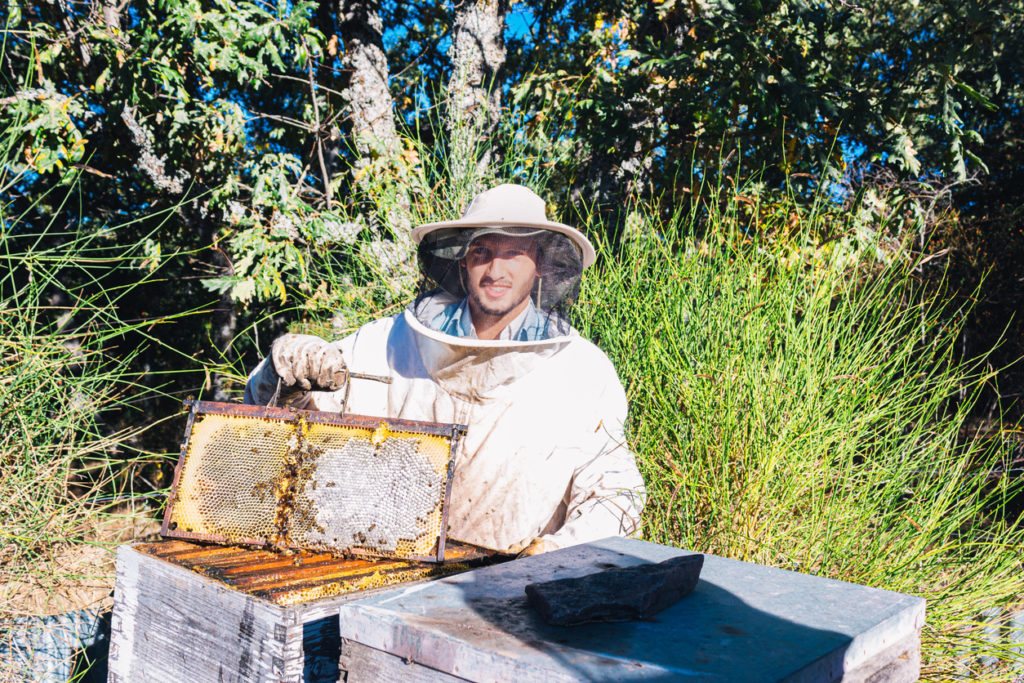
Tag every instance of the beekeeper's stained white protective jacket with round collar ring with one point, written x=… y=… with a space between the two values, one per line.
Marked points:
x=545 y=454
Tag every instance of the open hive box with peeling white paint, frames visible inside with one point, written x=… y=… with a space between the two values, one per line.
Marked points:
x=185 y=612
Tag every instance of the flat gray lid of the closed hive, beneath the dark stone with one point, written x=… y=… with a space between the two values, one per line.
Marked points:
x=743 y=623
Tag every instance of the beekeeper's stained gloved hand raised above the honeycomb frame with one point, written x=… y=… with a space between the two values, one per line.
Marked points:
x=306 y=363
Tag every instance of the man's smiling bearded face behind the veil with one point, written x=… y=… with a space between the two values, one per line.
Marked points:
x=500 y=273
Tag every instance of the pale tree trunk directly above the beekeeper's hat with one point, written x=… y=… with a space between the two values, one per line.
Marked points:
x=478 y=55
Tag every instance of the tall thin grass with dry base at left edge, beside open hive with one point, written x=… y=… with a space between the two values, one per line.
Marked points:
x=68 y=432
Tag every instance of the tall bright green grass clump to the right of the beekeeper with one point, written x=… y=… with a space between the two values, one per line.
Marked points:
x=800 y=405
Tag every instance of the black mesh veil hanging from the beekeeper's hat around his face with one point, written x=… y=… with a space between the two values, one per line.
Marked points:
x=556 y=289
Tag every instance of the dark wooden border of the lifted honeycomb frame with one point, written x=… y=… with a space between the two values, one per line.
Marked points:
x=451 y=432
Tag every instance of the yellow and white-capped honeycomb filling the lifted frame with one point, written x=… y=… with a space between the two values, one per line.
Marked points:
x=297 y=484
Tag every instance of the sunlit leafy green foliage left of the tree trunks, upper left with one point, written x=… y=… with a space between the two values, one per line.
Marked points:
x=159 y=102
